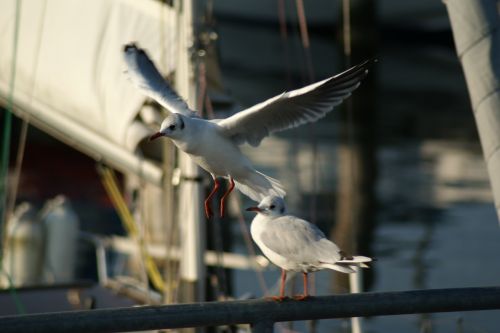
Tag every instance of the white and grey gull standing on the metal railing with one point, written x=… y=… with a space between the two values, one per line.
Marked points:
x=296 y=245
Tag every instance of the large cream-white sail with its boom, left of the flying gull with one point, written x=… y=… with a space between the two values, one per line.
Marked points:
x=69 y=77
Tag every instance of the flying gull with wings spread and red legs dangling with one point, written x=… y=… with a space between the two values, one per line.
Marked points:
x=214 y=144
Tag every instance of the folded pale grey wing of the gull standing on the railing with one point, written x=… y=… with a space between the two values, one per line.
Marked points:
x=299 y=240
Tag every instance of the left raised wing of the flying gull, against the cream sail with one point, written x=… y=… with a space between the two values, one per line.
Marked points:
x=144 y=74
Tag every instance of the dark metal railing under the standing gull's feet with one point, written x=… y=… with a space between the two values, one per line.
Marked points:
x=260 y=313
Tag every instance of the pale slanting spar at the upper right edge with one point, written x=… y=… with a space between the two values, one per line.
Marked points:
x=475 y=26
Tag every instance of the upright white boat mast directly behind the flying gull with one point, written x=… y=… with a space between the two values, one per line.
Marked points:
x=190 y=213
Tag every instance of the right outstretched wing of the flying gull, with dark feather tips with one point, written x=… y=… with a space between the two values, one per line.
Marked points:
x=294 y=108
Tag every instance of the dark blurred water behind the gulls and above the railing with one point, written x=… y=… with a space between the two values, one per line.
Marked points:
x=436 y=225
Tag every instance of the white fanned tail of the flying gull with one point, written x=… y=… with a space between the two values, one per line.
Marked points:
x=258 y=186
